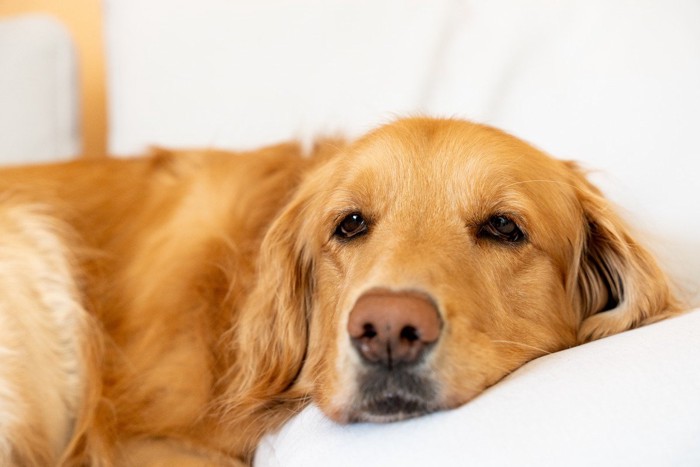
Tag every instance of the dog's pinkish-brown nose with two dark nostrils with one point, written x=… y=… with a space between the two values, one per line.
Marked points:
x=393 y=328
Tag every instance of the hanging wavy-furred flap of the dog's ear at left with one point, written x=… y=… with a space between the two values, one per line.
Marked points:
x=271 y=334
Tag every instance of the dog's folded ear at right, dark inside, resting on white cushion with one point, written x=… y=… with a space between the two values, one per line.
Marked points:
x=619 y=285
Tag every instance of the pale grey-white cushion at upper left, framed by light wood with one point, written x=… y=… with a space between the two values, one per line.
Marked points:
x=38 y=91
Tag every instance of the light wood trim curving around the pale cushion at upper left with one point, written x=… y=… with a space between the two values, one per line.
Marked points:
x=83 y=19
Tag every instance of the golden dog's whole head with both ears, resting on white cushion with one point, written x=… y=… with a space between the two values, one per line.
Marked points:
x=428 y=260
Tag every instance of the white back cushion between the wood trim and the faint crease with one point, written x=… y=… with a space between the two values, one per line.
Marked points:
x=246 y=74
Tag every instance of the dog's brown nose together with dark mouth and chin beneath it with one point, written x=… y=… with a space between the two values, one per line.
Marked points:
x=393 y=332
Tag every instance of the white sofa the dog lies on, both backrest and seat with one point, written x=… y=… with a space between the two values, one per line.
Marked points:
x=611 y=83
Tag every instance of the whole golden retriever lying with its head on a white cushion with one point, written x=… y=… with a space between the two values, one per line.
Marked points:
x=172 y=309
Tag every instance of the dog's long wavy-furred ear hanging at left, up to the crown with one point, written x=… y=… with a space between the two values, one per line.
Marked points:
x=270 y=335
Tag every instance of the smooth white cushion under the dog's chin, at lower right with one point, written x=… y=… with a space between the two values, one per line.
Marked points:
x=628 y=400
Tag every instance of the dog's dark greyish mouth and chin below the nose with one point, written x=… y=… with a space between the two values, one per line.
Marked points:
x=389 y=396
